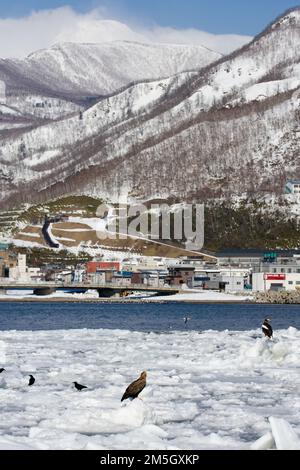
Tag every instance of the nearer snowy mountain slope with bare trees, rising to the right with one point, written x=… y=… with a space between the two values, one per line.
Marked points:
x=229 y=129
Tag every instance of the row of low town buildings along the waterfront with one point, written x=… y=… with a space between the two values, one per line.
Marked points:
x=233 y=272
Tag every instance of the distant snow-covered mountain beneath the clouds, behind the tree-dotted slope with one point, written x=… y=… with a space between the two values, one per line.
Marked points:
x=53 y=82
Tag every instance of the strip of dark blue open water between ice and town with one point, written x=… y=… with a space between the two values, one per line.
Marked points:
x=144 y=317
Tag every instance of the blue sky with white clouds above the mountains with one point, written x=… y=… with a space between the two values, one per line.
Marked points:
x=217 y=24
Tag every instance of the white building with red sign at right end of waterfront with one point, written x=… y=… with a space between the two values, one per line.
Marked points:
x=278 y=282
